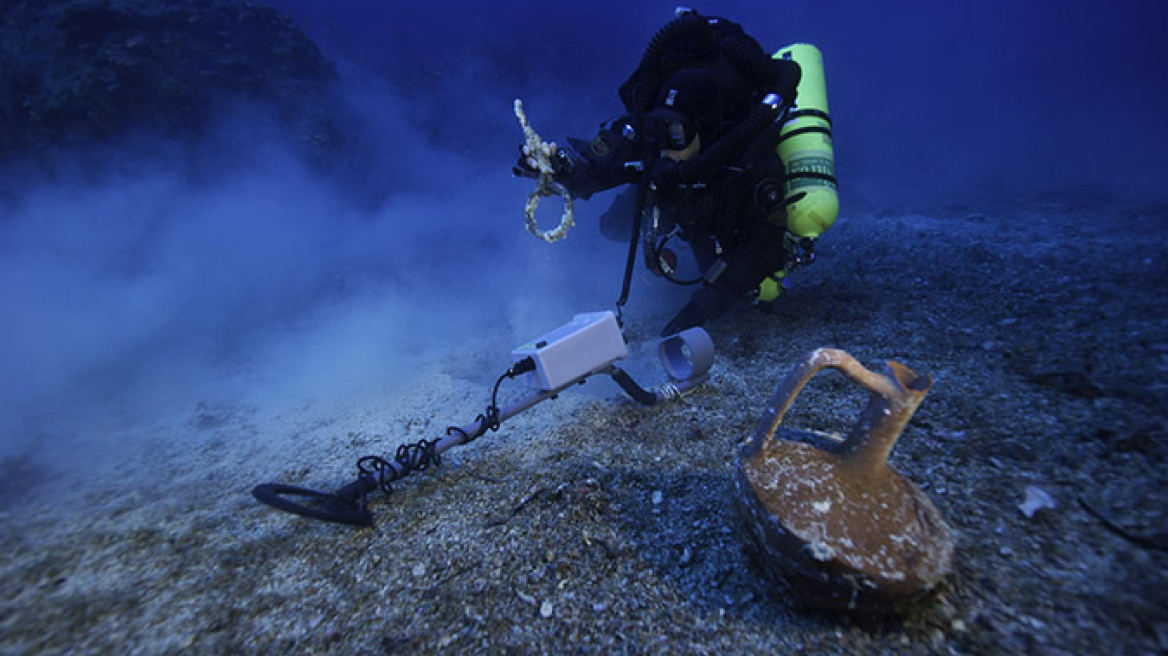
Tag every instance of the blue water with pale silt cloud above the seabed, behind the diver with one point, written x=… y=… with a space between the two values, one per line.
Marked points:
x=138 y=289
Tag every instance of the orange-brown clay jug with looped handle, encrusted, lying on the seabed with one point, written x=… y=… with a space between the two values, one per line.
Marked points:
x=830 y=519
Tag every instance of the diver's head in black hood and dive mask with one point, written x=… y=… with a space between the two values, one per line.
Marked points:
x=685 y=109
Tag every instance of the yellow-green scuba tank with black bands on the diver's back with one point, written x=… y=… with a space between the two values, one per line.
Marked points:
x=809 y=160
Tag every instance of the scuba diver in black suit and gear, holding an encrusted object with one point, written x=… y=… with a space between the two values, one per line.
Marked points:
x=698 y=145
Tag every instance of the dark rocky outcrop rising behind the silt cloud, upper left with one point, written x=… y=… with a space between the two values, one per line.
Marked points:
x=82 y=72
